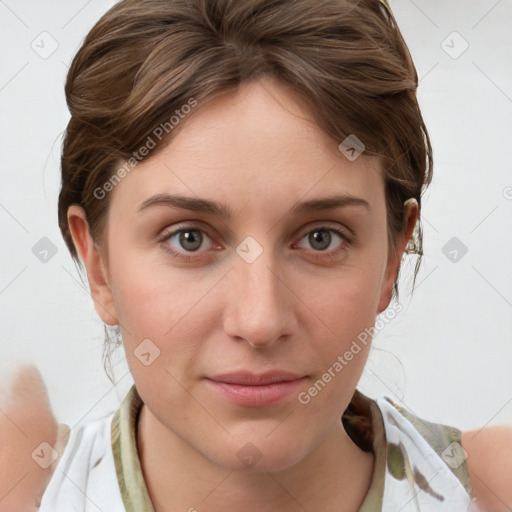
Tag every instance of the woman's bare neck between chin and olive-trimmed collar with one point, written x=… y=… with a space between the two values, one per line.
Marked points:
x=180 y=477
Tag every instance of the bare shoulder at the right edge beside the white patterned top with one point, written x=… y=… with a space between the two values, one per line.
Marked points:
x=489 y=460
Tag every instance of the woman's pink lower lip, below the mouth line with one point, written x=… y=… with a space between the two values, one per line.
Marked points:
x=256 y=396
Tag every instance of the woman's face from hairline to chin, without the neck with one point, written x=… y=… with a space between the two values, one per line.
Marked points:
x=269 y=286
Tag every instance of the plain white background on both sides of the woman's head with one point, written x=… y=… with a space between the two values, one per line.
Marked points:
x=447 y=355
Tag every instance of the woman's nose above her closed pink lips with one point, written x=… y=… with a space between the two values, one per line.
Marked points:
x=258 y=306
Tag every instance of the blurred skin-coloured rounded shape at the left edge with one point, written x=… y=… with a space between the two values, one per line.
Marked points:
x=26 y=421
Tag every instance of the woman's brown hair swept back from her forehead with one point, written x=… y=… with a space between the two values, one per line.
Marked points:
x=145 y=59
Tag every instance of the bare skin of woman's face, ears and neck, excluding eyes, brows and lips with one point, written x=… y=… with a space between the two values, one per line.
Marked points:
x=257 y=151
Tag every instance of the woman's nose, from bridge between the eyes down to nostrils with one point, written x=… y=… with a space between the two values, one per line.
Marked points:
x=258 y=304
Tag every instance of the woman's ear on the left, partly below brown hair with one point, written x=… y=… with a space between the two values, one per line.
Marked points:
x=94 y=263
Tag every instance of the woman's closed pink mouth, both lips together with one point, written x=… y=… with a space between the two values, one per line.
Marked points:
x=255 y=390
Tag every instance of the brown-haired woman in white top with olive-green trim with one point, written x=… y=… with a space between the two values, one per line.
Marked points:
x=284 y=142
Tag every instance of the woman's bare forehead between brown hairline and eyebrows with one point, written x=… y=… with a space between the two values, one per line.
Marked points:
x=258 y=145
